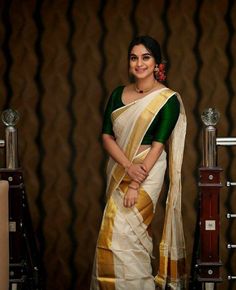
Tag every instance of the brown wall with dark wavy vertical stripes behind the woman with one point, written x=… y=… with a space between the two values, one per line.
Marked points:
x=59 y=60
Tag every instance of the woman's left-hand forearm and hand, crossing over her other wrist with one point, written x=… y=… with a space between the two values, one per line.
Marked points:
x=135 y=171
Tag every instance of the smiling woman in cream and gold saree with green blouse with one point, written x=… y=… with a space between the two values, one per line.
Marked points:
x=138 y=121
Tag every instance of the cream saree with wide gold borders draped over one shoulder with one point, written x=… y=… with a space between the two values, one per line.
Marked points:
x=124 y=246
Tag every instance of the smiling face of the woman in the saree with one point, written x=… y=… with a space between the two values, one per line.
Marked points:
x=141 y=62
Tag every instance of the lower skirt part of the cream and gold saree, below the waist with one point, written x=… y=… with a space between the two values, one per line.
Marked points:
x=124 y=248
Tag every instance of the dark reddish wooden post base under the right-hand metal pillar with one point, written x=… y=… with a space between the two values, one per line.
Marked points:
x=208 y=263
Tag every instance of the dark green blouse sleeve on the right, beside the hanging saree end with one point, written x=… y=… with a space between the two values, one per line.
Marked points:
x=167 y=118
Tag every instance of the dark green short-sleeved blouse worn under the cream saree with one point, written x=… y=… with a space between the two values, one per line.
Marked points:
x=160 y=128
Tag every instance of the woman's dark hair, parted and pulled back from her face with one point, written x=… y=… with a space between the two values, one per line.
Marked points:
x=151 y=45
